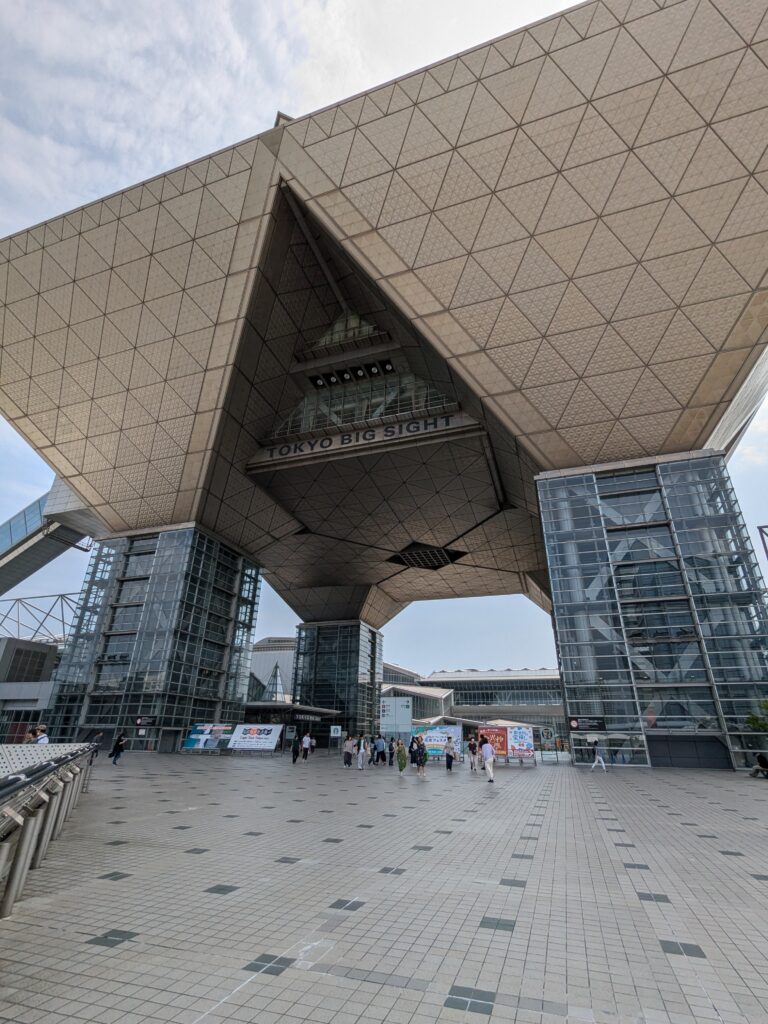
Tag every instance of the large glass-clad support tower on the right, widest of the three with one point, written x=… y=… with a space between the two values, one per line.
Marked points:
x=661 y=613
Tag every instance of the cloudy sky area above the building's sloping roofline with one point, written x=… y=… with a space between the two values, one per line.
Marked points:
x=98 y=95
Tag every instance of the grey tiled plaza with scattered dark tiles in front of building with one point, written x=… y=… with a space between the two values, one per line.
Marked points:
x=198 y=890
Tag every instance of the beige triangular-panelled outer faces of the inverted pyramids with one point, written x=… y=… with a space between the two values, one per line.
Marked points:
x=576 y=216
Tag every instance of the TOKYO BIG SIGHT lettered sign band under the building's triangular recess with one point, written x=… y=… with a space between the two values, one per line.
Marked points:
x=275 y=455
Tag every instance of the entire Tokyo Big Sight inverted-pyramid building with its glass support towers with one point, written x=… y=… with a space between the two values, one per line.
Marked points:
x=368 y=353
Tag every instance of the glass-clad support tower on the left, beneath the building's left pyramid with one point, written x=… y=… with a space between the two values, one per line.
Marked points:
x=162 y=641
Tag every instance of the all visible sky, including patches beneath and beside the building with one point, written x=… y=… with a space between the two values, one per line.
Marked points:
x=99 y=95
